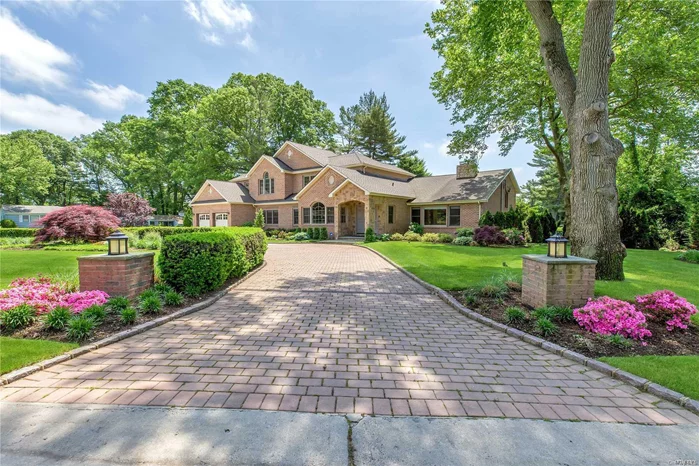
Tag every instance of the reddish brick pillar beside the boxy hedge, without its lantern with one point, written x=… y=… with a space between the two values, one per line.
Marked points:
x=126 y=275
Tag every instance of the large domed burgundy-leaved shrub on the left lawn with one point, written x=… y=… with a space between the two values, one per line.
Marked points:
x=76 y=223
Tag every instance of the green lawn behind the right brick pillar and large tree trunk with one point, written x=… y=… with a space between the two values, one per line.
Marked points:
x=453 y=267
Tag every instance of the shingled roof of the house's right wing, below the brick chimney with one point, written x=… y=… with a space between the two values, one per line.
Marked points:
x=447 y=188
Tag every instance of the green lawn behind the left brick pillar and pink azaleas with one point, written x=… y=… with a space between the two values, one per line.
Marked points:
x=23 y=263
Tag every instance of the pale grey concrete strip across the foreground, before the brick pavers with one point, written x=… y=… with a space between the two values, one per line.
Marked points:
x=43 y=434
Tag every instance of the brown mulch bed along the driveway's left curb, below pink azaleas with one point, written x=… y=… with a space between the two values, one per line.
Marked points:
x=111 y=323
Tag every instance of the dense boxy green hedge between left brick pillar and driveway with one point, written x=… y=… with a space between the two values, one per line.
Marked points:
x=196 y=263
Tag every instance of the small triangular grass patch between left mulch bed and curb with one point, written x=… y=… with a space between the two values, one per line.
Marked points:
x=16 y=353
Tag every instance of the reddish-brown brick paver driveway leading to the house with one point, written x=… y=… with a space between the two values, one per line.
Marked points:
x=335 y=328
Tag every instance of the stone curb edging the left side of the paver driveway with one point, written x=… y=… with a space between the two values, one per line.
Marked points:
x=41 y=365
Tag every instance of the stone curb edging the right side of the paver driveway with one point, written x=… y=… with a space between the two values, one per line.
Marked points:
x=616 y=373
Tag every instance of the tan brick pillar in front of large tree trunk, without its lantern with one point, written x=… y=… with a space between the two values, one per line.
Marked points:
x=547 y=281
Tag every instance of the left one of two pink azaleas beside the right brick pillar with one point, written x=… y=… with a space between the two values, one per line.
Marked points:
x=607 y=316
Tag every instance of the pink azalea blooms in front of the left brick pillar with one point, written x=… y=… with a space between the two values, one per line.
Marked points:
x=44 y=295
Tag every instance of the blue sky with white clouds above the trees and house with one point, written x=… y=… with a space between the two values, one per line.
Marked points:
x=67 y=66
